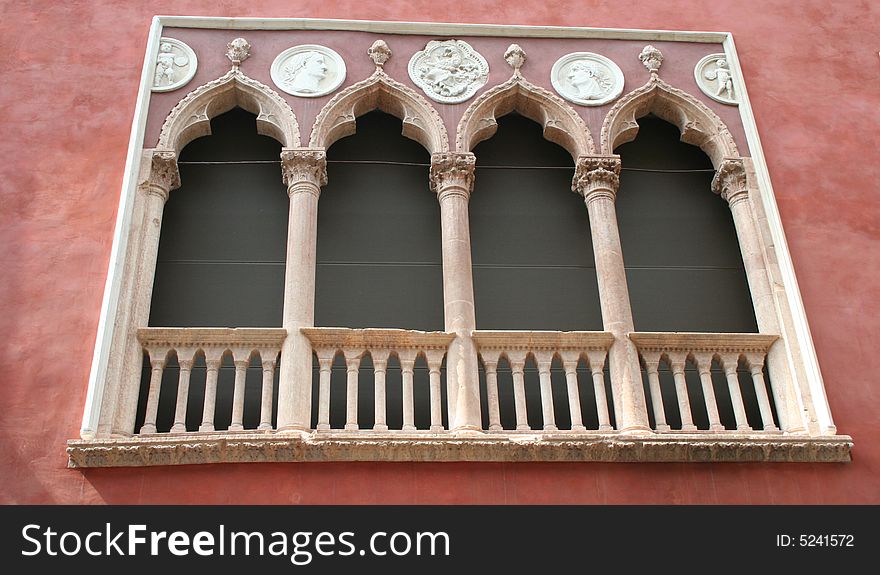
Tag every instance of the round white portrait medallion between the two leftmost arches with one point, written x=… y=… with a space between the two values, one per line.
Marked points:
x=308 y=71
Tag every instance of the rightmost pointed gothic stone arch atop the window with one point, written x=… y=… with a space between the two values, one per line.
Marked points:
x=698 y=124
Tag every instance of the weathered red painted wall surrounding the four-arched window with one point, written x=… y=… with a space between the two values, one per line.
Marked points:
x=69 y=80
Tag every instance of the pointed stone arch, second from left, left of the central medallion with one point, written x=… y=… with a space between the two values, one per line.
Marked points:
x=421 y=121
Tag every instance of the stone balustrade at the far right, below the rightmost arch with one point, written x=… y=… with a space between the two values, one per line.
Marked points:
x=732 y=354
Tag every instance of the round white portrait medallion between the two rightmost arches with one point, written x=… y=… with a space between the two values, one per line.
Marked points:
x=587 y=79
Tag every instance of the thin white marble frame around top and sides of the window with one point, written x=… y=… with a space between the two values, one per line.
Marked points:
x=770 y=220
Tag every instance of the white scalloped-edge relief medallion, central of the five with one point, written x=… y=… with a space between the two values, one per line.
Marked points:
x=449 y=71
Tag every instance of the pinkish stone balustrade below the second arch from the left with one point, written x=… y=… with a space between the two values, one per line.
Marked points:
x=380 y=344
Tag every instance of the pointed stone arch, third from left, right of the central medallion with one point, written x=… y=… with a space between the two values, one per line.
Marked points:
x=561 y=123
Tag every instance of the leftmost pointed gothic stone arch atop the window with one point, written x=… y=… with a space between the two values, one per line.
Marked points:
x=191 y=117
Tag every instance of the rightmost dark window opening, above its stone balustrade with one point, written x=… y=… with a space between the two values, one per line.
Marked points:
x=683 y=264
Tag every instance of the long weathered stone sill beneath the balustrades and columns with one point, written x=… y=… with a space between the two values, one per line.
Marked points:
x=246 y=447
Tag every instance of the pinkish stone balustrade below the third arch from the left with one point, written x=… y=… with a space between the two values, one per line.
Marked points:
x=517 y=347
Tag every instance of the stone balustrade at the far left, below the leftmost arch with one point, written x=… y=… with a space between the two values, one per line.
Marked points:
x=243 y=344
